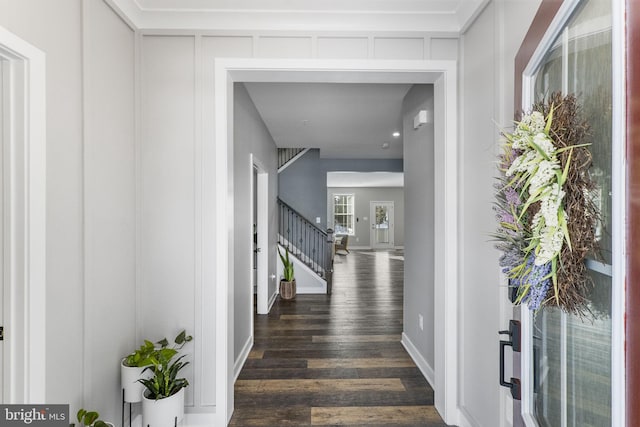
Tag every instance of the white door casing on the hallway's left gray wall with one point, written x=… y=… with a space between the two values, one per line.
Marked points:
x=262 y=225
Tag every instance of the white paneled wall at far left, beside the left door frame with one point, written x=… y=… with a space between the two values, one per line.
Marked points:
x=90 y=194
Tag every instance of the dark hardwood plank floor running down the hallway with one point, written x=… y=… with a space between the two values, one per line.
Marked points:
x=336 y=360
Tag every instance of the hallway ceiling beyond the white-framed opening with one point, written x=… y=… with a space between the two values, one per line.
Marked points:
x=342 y=120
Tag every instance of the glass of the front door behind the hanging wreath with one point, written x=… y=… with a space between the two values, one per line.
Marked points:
x=569 y=376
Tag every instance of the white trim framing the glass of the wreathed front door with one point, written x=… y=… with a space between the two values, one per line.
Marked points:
x=618 y=304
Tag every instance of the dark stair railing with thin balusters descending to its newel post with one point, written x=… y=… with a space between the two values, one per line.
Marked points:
x=308 y=243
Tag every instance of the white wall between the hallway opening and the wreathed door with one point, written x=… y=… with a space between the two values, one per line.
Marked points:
x=488 y=50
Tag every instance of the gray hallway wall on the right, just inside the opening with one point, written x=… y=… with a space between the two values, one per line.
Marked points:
x=419 y=174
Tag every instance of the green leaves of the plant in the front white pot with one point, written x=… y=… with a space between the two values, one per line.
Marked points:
x=165 y=382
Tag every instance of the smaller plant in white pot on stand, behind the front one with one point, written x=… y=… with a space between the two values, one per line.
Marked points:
x=133 y=366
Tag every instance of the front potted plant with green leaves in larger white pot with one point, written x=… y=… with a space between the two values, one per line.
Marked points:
x=163 y=397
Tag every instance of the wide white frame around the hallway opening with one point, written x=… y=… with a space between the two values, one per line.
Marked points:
x=218 y=203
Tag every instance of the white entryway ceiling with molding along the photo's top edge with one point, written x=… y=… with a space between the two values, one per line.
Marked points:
x=445 y=16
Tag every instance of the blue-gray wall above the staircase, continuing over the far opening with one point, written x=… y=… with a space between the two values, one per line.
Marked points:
x=303 y=184
